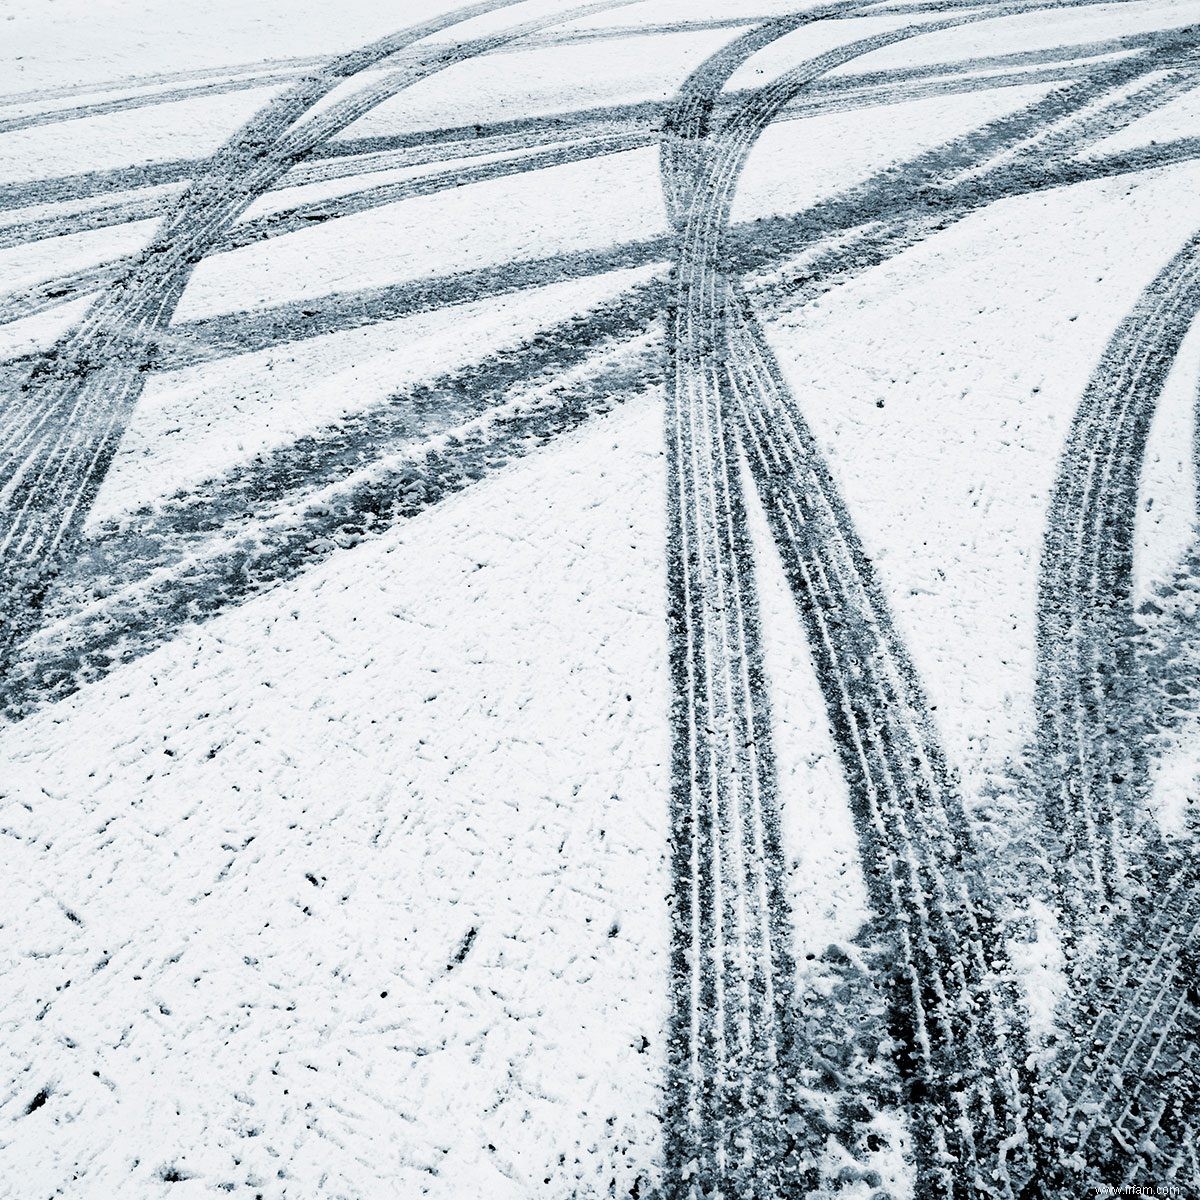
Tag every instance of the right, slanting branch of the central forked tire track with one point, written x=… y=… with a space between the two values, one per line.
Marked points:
x=959 y=1051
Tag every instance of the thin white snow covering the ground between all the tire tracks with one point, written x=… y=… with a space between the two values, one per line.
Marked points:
x=363 y=886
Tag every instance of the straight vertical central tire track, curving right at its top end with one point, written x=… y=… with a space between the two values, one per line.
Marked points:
x=734 y=1111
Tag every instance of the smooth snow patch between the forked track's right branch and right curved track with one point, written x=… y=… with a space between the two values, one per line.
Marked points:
x=979 y=343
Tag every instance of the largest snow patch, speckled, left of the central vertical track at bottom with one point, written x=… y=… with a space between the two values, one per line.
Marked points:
x=395 y=727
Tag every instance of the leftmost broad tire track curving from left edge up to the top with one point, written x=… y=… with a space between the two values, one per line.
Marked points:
x=62 y=431
